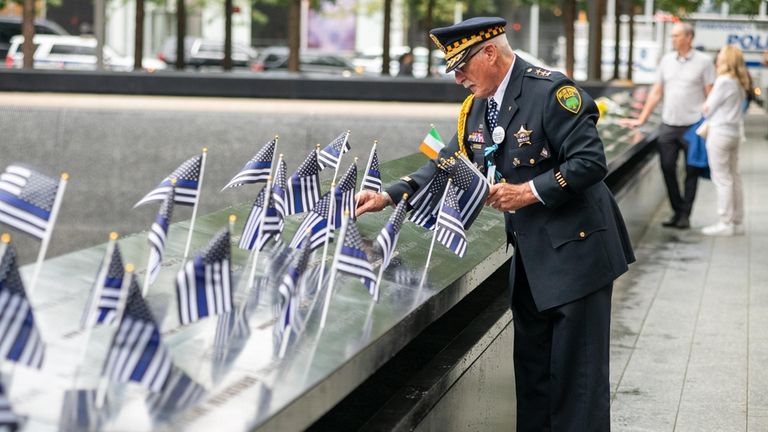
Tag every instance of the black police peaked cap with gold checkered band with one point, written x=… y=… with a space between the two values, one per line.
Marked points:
x=455 y=41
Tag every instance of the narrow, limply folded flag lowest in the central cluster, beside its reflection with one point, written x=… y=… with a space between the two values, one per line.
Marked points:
x=288 y=318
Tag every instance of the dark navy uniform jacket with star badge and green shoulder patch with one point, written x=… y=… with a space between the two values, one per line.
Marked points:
x=575 y=242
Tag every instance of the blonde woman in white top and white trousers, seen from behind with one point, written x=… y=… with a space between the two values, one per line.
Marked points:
x=724 y=109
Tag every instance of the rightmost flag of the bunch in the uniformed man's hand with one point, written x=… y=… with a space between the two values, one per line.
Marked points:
x=472 y=190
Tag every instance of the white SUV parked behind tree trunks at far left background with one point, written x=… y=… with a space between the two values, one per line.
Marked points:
x=72 y=53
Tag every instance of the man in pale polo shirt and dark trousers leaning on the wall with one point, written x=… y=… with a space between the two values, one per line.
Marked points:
x=685 y=77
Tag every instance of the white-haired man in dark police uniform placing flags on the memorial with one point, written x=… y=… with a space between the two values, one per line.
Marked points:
x=536 y=129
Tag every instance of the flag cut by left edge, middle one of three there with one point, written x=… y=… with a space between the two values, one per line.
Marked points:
x=20 y=340
